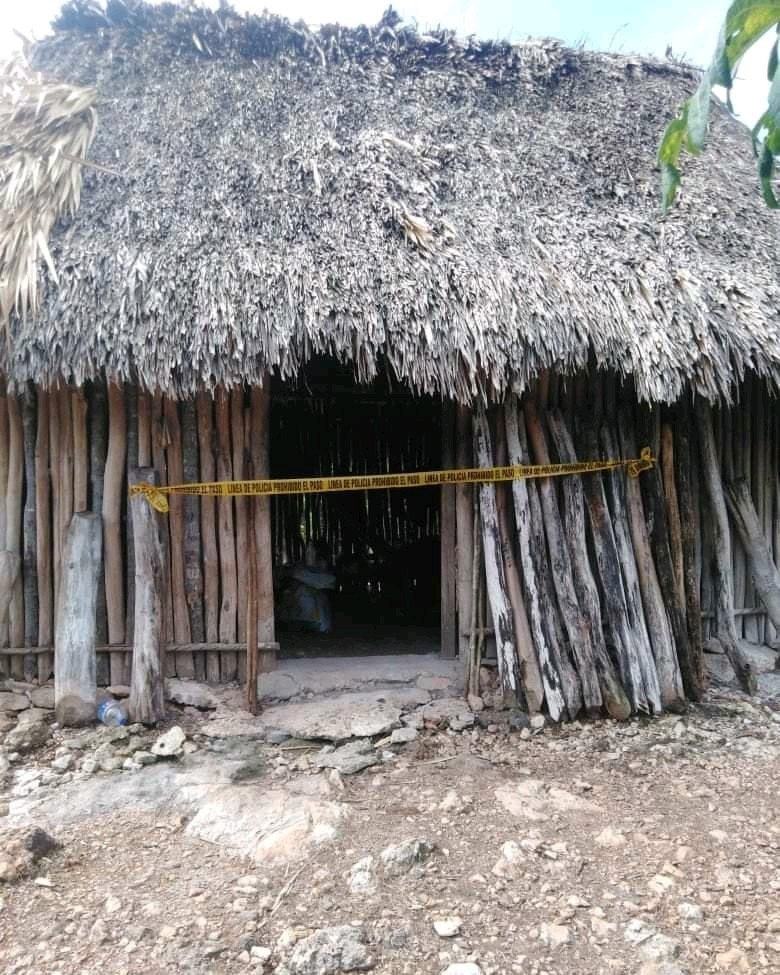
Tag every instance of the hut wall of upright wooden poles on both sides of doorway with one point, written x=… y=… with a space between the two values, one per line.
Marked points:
x=604 y=620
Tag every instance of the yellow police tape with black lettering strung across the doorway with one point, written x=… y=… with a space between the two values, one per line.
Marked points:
x=157 y=496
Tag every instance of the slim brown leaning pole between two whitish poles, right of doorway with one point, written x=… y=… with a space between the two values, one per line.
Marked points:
x=529 y=667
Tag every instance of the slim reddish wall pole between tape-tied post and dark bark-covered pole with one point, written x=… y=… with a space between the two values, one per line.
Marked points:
x=185 y=667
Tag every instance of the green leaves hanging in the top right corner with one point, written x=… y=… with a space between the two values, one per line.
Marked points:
x=746 y=22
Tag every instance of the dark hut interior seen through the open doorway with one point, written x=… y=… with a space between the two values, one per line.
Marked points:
x=377 y=551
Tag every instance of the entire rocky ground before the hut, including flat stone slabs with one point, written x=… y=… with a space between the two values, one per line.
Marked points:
x=442 y=839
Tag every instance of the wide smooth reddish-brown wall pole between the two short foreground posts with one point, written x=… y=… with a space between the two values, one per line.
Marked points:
x=112 y=518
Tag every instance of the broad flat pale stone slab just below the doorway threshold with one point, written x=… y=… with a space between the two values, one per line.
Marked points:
x=361 y=714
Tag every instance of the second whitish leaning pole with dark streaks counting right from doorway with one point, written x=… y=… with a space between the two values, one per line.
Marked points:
x=548 y=656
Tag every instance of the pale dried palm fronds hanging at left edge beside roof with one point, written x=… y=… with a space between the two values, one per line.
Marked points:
x=46 y=129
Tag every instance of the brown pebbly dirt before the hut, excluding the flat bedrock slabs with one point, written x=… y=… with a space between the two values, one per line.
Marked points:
x=599 y=849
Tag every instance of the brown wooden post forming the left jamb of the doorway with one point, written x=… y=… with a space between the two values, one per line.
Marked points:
x=261 y=468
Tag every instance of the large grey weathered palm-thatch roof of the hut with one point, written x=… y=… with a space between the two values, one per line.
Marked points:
x=463 y=213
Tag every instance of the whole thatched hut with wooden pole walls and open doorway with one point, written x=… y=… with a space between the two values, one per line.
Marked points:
x=365 y=251
